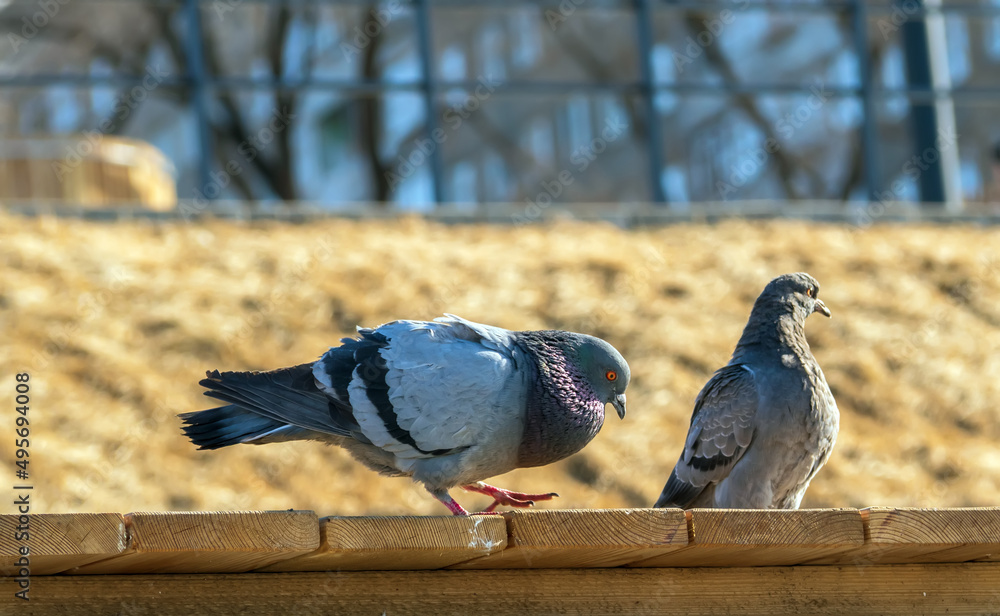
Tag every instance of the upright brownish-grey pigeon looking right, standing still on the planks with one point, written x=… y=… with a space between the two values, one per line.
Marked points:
x=765 y=423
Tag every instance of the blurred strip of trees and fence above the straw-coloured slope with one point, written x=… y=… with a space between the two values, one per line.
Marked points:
x=416 y=104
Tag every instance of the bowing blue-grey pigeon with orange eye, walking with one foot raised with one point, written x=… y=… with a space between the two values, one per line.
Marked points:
x=448 y=402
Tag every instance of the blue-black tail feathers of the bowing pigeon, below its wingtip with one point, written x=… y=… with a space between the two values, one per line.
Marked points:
x=232 y=425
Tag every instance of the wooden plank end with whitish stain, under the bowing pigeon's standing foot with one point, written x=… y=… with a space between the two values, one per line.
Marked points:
x=395 y=543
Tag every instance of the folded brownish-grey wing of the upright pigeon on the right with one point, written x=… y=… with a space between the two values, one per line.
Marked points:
x=722 y=428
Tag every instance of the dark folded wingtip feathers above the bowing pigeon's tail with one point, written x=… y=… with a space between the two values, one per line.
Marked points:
x=286 y=397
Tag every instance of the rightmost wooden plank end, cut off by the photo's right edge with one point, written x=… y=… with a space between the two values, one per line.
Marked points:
x=908 y=535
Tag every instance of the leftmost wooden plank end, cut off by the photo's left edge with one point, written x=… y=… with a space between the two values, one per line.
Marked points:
x=59 y=541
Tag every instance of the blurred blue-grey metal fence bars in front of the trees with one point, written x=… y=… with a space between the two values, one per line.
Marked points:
x=200 y=81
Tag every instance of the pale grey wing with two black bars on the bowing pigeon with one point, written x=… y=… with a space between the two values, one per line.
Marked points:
x=425 y=389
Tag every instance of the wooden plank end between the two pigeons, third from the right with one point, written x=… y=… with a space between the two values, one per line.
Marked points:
x=585 y=538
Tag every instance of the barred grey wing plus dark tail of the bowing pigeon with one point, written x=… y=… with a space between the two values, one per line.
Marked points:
x=412 y=388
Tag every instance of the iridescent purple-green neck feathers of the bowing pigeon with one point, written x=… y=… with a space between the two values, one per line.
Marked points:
x=563 y=413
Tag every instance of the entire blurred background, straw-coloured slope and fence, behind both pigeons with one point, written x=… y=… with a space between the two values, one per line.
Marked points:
x=236 y=184
